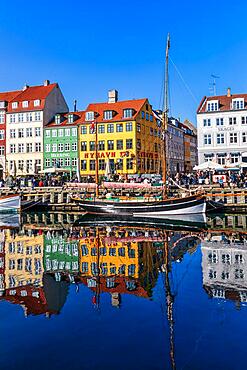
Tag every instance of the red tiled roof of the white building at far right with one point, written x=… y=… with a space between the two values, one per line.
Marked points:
x=224 y=102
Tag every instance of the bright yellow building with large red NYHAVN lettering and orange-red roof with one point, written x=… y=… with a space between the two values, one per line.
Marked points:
x=129 y=139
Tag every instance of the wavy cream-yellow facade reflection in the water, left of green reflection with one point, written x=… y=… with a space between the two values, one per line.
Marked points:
x=23 y=260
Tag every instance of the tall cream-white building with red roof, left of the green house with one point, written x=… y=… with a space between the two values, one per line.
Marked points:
x=27 y=115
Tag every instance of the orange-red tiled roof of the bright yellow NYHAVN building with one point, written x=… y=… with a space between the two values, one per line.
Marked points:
x=118 y=107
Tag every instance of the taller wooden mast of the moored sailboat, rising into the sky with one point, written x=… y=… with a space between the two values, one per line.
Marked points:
x=165 y=118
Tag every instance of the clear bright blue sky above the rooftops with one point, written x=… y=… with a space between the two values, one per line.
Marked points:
x=89 y=47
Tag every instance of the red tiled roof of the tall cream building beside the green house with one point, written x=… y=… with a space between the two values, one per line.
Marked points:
x=30 y=94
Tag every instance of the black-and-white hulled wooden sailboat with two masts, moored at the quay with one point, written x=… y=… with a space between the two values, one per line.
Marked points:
x=172 y=207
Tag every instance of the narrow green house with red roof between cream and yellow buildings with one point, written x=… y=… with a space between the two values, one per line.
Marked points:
x=61 y=142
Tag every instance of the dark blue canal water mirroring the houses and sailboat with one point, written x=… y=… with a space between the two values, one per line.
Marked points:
x=113 y=295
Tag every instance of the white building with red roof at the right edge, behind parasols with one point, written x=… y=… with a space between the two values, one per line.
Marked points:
x=222 y=129
